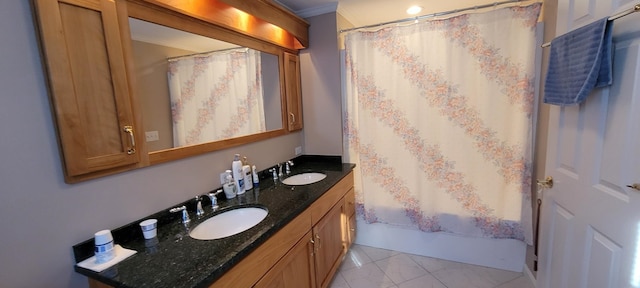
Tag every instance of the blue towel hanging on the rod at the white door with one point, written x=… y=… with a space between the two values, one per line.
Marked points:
x=579 y=61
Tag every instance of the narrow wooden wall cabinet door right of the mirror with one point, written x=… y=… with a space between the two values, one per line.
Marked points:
x=293 y=91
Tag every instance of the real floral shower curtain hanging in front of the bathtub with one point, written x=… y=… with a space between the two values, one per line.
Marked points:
x=438 y=119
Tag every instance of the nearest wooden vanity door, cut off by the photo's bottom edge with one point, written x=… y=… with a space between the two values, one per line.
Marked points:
x=294 y=270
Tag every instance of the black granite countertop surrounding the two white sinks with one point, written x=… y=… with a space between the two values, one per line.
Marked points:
x=177 y=260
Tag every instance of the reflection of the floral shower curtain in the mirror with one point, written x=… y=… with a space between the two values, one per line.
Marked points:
x=216 y=96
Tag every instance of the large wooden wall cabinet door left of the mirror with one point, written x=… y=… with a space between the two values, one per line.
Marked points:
x=84 y=59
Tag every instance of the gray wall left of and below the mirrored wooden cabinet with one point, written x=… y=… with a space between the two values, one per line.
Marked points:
x=41 y=217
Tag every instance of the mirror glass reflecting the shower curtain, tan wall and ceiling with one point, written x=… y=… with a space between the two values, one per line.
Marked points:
x=195 y=89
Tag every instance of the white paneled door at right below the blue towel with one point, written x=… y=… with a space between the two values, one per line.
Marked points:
x=590 y=223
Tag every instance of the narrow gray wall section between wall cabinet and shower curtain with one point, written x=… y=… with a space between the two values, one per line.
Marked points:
x=321 y=92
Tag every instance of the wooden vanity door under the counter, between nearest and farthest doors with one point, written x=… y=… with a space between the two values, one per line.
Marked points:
x=329 y=246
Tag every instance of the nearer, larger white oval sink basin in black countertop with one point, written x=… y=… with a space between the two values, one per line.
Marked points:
x=228 y=223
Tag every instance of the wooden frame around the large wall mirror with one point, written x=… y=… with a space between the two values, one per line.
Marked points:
x=161 y=16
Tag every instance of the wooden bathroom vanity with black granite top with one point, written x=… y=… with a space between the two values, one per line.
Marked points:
x=300 y=243
